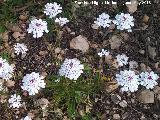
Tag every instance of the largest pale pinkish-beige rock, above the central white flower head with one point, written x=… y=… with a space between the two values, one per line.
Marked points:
x=80 y=42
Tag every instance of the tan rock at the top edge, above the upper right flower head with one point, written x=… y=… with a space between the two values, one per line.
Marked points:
x=133 y=6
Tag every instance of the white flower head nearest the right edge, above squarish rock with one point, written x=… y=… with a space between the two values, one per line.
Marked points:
x=148 y=79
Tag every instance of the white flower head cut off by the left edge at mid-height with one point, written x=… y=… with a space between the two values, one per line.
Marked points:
x=6 y=70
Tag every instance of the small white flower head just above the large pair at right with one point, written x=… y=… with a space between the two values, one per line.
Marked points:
x=122 y=59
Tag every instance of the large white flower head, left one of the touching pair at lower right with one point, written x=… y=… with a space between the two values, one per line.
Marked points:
x=128 y=80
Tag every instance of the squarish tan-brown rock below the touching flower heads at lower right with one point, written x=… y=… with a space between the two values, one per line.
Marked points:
x=146 y=96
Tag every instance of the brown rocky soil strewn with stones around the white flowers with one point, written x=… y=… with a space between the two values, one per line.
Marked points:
x=82 y=39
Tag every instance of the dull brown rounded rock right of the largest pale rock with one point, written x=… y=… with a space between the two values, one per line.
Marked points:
x=115 y=42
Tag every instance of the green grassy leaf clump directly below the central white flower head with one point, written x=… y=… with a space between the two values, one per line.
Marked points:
x=69 y=93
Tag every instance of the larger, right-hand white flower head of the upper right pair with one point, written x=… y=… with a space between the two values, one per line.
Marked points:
x=124 y=21
